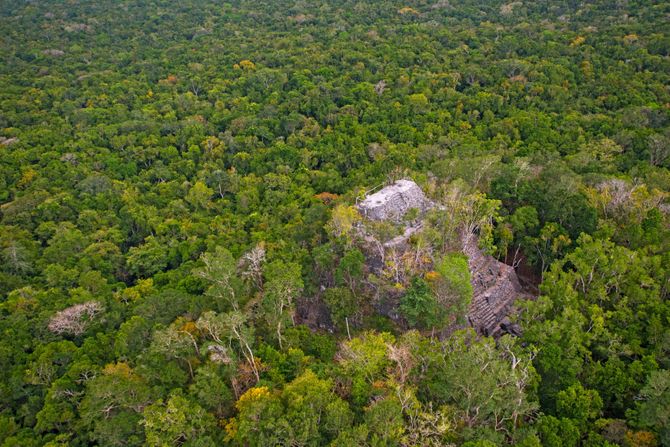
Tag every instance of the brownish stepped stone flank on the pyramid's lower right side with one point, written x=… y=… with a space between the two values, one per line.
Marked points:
x=495 y=289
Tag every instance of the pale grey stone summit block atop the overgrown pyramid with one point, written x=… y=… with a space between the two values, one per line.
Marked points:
x=392 y=202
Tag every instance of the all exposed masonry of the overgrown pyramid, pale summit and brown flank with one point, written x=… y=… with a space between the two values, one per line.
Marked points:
x=495 y=284
